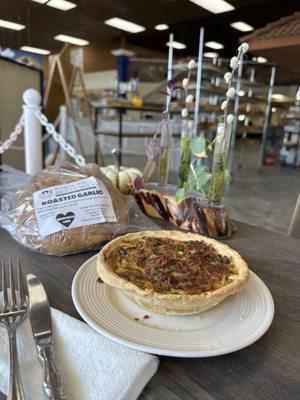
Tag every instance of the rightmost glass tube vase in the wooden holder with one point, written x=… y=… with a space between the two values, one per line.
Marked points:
x=219 y=164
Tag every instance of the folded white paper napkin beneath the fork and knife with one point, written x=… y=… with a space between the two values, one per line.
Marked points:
x=92 y=366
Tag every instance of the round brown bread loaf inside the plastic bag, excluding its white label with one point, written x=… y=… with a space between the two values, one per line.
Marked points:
x=68 y=240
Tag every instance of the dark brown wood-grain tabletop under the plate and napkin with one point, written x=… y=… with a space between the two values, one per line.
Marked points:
x=267 y=370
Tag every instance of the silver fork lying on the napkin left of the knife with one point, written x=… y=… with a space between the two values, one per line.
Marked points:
x=12 y=313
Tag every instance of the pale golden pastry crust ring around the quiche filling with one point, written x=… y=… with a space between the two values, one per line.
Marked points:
x=168 y=303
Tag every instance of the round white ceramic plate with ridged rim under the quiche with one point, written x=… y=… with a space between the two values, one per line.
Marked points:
x=235 y=323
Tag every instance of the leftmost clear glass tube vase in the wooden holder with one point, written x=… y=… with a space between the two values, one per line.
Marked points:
x=166 y=133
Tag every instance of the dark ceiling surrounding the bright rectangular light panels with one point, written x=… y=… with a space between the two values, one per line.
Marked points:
x=184 y=18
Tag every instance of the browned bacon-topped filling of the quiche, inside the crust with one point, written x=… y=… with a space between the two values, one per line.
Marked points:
x=172 y=266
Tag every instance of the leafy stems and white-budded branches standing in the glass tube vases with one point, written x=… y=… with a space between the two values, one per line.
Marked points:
x=194 y=173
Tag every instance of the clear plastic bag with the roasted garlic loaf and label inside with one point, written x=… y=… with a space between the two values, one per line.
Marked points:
x=66 y=209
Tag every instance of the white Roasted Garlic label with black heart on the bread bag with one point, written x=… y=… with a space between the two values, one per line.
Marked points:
x=72 y=205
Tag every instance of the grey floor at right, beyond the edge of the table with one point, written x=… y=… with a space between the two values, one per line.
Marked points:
x=265 y=199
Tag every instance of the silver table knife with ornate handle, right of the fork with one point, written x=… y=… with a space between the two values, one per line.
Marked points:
x=40 y=318
